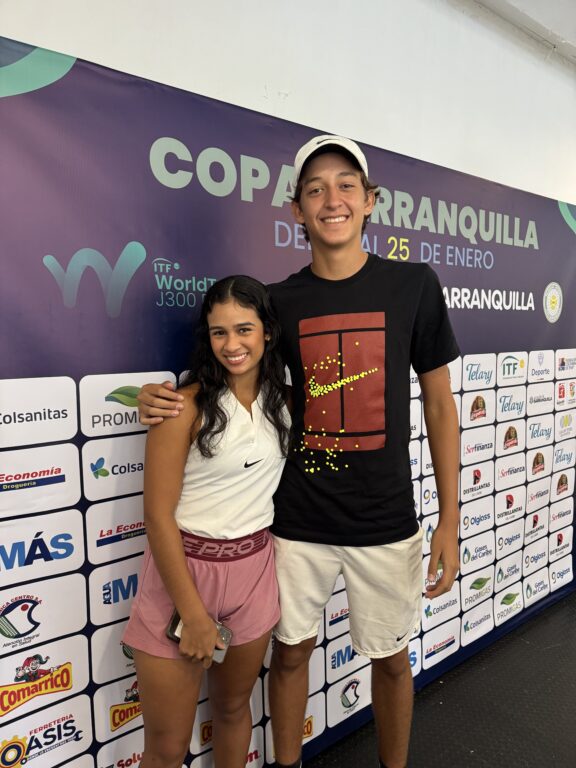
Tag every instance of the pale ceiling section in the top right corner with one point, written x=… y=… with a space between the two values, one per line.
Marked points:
x=551 y=22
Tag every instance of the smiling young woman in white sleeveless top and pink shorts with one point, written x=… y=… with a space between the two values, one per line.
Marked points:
x=208 y=484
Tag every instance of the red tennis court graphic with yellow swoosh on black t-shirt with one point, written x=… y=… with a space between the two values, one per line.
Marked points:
x=343 y=358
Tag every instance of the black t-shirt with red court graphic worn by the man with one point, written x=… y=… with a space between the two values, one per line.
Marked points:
x=349 y=345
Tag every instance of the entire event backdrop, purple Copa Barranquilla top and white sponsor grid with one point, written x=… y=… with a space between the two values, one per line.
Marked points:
x=122 y=200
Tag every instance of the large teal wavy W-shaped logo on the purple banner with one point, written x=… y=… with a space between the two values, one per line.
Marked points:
x=114 y=281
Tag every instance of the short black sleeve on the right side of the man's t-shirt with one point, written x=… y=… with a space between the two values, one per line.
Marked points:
x=433 y=340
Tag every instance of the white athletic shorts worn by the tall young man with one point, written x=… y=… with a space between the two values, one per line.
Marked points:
x=383 y=585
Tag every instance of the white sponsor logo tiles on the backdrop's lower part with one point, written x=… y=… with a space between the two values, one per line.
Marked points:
x=518 y=450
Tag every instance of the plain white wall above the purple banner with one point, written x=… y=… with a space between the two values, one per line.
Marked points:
x=442 y=80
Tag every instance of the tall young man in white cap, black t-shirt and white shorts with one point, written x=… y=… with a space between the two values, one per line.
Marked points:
x=353 y=324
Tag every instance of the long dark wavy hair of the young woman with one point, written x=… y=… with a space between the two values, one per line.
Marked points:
x=206 y=371
